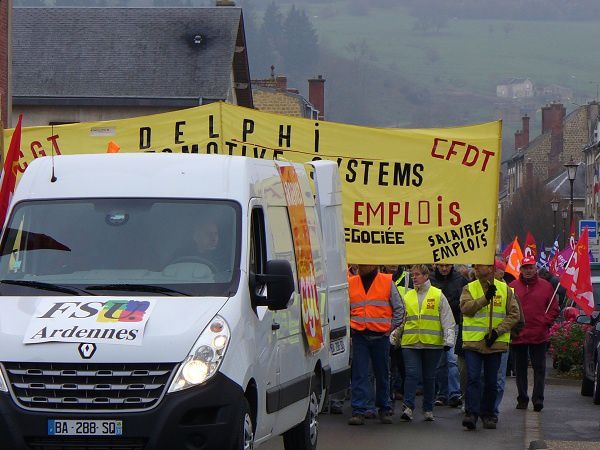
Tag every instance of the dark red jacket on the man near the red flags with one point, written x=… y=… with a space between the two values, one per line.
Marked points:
x=535 y=294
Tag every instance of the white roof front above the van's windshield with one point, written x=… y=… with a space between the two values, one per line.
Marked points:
x=144 y=175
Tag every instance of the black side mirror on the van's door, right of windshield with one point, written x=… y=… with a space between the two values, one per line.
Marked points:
x=279 y=279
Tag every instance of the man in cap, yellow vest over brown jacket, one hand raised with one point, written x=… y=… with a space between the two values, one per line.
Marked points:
x=489 y=311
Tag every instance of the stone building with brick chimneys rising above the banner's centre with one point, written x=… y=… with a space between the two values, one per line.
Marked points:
x=273 y=95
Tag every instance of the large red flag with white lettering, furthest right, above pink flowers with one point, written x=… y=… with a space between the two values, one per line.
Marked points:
x=577 y=278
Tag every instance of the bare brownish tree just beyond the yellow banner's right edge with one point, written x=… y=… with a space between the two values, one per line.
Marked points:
x=529 y=210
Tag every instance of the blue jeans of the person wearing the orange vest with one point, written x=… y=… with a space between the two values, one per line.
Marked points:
x=376 y=350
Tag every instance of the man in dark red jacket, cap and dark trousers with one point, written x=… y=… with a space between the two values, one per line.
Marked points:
x=536 y=296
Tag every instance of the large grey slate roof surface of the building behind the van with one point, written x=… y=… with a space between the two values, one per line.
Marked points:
x=124 y=52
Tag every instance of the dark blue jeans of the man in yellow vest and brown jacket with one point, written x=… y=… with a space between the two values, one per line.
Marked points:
x=478 y=401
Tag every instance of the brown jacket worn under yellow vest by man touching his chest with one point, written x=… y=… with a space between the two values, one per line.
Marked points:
x=469 y=307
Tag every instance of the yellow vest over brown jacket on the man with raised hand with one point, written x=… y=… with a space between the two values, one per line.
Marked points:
x=477 y=327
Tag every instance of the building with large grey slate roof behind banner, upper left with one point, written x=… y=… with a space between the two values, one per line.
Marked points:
x=86 y=64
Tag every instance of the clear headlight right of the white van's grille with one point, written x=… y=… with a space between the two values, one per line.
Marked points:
x=205 y=358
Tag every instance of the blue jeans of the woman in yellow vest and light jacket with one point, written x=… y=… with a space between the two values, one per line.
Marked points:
x=420 y=364
